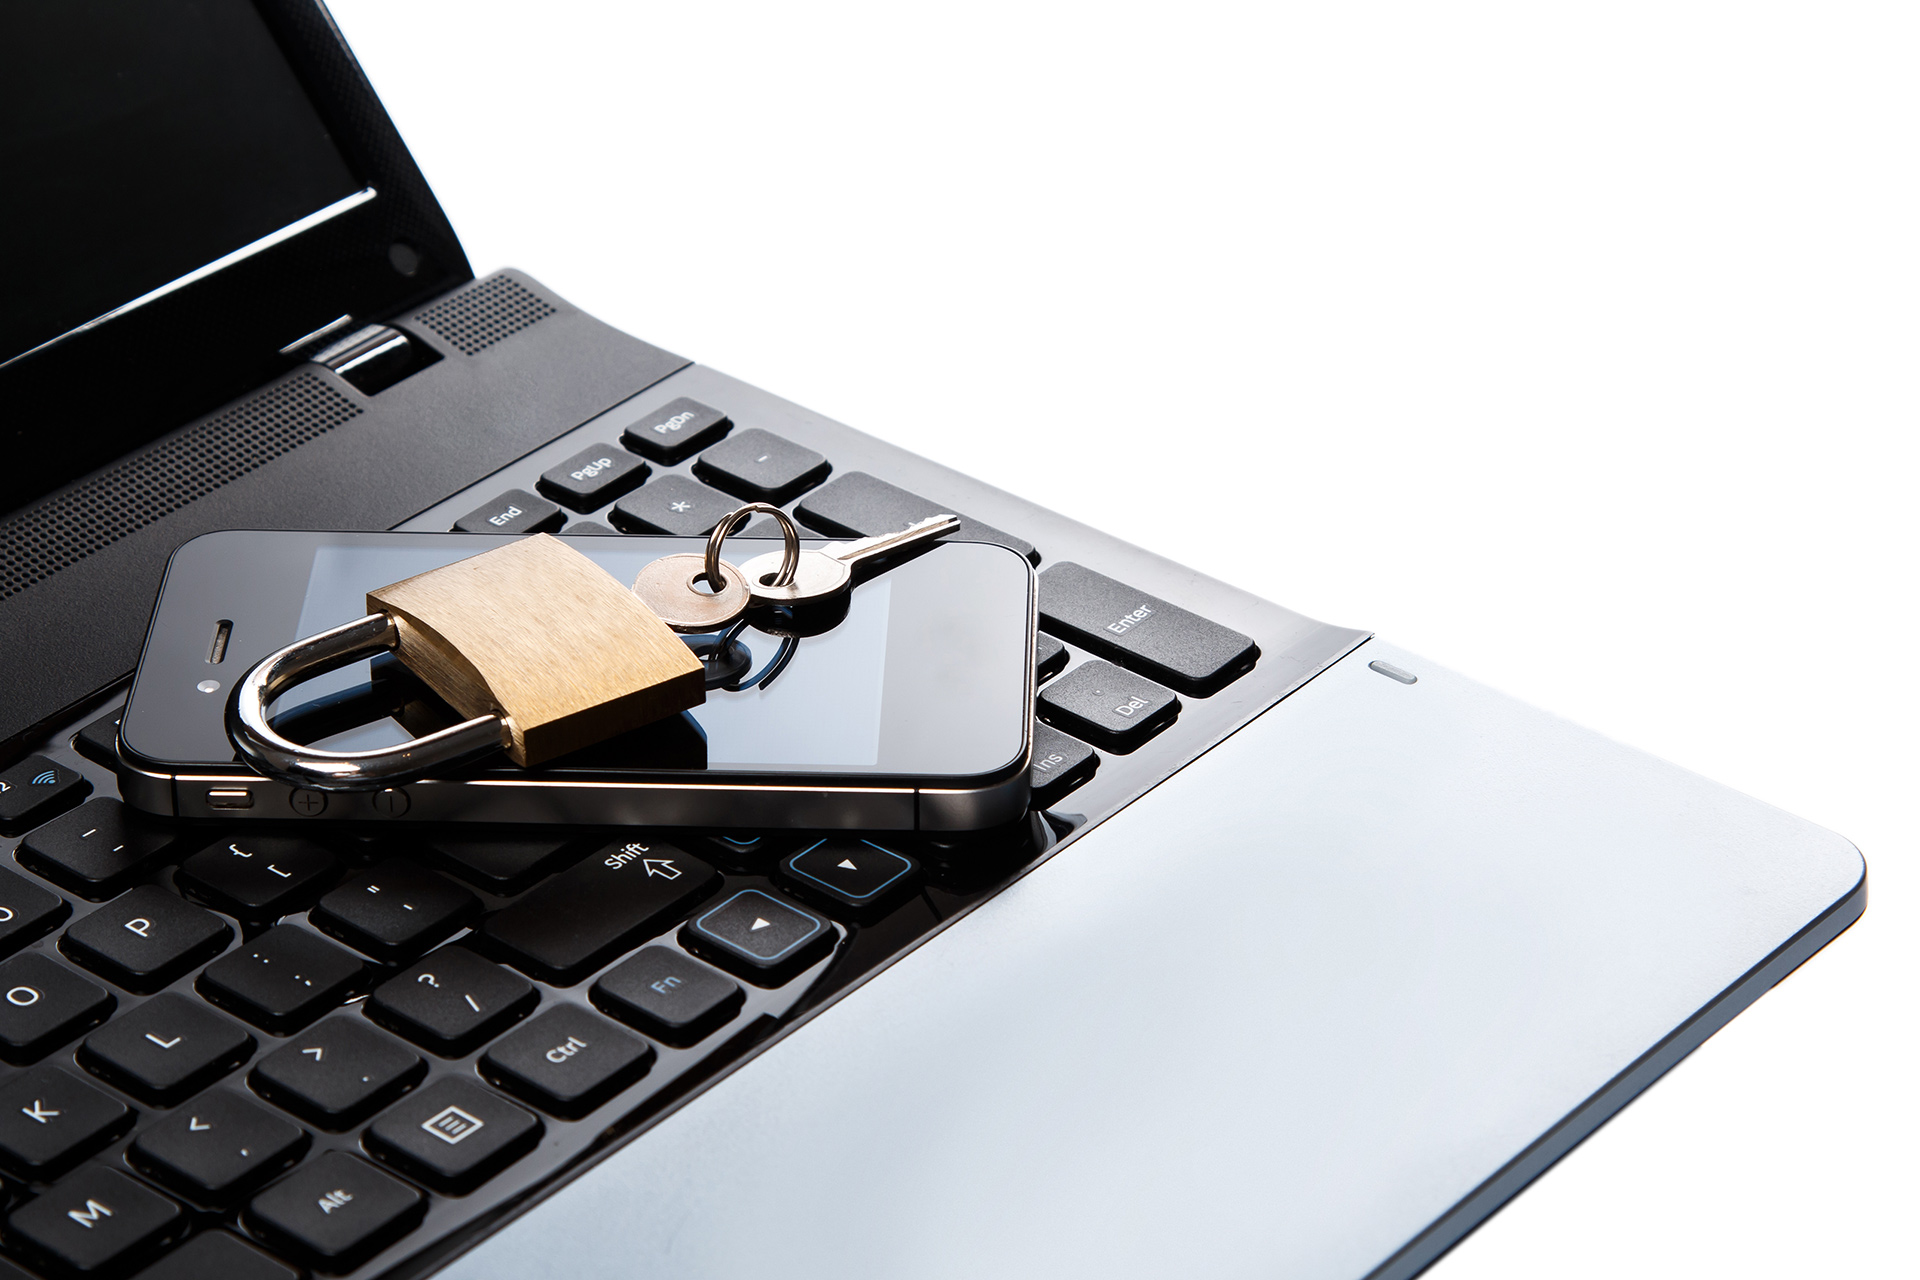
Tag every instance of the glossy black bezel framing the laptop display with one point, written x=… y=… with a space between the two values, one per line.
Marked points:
x=107 y=391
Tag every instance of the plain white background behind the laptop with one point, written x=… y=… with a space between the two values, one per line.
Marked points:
x=1570 y=346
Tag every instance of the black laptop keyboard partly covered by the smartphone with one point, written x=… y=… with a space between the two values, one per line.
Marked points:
x=347 y=1051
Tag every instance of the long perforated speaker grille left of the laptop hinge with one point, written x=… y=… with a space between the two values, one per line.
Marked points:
x=153 y=486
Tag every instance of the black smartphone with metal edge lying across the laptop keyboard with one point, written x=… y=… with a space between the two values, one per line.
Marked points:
x=907 y=709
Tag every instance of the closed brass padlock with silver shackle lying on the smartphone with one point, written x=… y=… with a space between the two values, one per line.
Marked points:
x=537 y=644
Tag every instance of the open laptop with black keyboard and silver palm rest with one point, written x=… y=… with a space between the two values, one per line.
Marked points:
x=1303 y=980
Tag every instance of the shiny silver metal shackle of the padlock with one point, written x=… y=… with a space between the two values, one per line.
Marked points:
x=337 y=770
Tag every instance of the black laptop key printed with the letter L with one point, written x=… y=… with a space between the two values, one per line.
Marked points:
x=166 y=1049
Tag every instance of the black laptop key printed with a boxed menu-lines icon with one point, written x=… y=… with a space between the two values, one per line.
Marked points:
x=454 y=1135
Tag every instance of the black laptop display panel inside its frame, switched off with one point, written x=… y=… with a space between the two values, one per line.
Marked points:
x=143 y=143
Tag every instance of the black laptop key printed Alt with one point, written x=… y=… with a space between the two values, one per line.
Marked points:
x=335 y=1212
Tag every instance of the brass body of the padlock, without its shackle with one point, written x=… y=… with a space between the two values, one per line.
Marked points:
x=544 y=636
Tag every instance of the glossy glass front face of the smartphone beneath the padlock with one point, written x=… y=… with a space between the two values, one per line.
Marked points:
x=924 y=676
